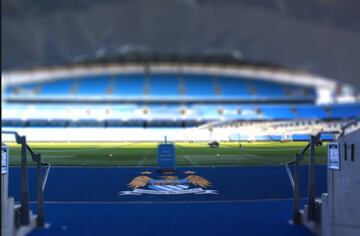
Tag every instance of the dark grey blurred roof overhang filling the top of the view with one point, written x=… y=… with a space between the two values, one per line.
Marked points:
x=319 y=36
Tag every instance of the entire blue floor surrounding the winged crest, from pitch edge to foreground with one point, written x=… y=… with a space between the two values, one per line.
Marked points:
x=249 y=201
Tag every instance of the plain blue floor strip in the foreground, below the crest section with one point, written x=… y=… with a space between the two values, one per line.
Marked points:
x=210 y=218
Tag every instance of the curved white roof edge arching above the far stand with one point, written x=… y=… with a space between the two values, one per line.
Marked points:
x=325 y=87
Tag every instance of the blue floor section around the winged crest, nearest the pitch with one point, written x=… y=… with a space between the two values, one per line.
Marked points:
x=104 y=184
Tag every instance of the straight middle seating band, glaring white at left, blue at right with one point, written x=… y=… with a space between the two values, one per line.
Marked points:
x=179 y=112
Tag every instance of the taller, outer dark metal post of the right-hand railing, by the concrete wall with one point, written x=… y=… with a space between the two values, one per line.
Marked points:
x=311 y=181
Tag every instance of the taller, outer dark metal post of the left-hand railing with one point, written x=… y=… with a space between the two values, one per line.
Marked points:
x=25 y=215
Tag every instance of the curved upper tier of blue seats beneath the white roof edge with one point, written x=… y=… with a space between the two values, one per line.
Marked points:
x=160 y=85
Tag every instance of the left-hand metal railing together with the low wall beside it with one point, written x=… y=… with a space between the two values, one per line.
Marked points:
x=24 y=221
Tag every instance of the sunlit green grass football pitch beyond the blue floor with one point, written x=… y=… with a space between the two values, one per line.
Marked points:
x=139 y=154
